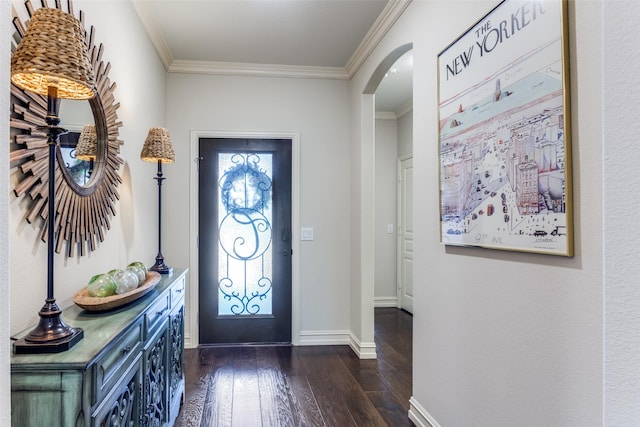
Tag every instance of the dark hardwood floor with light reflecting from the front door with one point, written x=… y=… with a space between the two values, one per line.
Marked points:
x=275 y=386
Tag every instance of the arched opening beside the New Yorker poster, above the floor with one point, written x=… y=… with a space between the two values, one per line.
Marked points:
x=393 y=185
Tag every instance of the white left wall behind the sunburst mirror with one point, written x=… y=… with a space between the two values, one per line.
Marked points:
x=141 y=83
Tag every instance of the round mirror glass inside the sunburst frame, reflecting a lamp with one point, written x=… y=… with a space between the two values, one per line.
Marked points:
x=75 y=116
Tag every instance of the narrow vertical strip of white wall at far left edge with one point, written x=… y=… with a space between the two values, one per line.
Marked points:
x=5 y=54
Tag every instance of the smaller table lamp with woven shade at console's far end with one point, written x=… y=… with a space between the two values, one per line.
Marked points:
x=157 y=148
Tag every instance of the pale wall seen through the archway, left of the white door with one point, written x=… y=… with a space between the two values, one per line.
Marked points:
x=385 y=212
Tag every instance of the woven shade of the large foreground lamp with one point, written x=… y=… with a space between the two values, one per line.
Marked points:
x=53 y=52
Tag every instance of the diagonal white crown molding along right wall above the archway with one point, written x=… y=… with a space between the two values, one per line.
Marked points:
x=378 y=30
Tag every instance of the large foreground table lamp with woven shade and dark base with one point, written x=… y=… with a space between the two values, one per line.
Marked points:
x=51 y=60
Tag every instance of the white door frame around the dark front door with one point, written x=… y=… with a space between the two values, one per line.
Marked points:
x=192 y=329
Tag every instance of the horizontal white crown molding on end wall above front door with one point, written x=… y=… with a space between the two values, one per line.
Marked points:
x=262 y=70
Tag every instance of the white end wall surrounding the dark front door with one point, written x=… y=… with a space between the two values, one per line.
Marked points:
x=317 y=110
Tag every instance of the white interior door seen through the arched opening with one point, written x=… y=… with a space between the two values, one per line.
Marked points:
x=405 y=234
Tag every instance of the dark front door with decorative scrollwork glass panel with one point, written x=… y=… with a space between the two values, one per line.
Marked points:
x=244 y=241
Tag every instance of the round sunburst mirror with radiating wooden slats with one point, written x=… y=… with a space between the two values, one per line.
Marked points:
x=87 y=190
